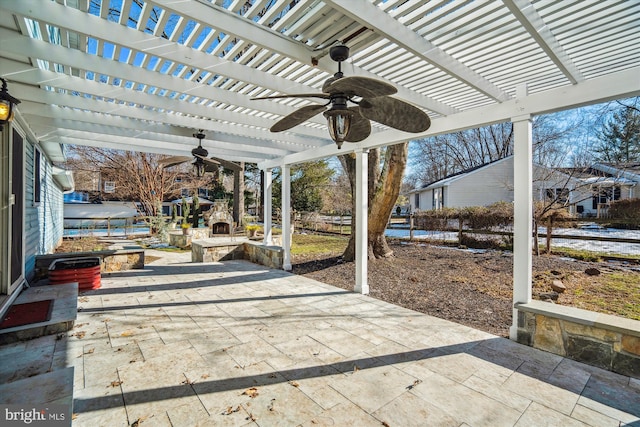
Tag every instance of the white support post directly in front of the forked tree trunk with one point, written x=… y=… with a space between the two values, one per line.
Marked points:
x=362 y=215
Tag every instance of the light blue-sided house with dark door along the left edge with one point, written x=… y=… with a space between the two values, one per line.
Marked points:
x=31 y=206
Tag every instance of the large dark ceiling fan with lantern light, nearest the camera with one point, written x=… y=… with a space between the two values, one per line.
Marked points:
x=352 y=124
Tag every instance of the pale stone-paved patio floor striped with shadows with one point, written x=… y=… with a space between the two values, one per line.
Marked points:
x=235 y=343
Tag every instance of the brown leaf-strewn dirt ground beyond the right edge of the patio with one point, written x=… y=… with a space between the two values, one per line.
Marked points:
x=475 y=288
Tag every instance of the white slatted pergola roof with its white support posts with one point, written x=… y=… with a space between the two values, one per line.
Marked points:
x=144 y=75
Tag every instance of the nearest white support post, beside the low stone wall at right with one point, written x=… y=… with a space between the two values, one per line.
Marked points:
x=522 y=216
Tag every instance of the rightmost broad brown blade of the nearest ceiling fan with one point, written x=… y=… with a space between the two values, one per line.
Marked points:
x=395 y=113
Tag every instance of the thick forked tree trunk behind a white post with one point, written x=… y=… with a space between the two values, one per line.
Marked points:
x=384 y=188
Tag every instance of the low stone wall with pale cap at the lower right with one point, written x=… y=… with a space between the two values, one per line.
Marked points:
x=601 y=340
